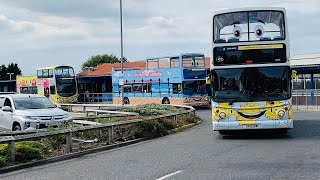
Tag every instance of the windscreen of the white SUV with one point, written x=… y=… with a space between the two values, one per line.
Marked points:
x=32 y=103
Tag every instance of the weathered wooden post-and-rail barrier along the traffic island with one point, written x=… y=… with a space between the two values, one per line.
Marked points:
x=36 y=135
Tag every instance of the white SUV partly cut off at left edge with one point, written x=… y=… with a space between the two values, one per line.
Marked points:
x=29 y=111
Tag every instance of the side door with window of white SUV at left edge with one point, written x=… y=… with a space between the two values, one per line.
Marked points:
x=6 y=119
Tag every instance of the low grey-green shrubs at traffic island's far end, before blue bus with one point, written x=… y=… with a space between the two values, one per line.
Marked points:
x=152 y=109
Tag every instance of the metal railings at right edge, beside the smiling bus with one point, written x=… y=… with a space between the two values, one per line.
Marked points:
x=305 y=99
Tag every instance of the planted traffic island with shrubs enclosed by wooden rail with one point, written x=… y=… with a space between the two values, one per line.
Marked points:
x=154 y=120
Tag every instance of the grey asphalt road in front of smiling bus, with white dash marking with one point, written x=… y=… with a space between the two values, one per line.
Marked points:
x=199 y=153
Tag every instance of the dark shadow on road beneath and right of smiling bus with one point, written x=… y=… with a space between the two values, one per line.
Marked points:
x=303 y=130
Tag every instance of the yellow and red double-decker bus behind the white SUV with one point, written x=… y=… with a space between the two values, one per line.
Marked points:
x=58 y=83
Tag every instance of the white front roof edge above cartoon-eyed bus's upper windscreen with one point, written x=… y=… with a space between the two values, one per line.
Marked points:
x=222 y=11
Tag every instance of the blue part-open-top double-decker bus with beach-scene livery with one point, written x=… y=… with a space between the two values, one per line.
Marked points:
x=178 y=79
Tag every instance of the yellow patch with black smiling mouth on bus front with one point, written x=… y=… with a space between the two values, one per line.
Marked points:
x=250 y=111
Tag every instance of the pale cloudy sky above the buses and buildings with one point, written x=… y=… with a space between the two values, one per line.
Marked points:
x=38 y=33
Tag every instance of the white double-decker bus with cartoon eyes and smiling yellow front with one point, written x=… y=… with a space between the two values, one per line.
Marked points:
x=250 y=70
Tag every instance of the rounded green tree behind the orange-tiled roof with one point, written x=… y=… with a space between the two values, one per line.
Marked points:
x=96 y=60
